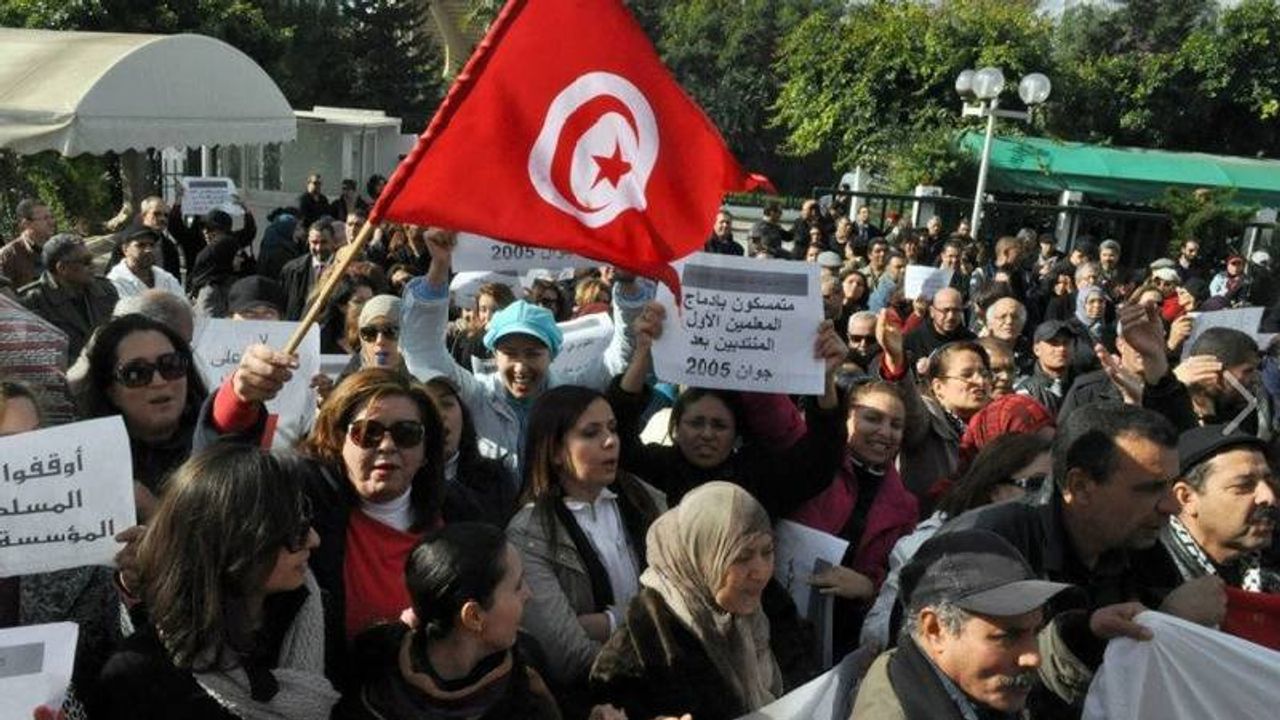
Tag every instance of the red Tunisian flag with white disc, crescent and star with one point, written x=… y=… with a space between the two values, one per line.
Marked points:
x=566 y=131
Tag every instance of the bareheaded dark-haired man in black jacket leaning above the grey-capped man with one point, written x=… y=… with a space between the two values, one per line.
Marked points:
x=1114 y=467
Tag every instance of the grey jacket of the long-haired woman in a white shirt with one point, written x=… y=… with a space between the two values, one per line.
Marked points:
x=561 y=593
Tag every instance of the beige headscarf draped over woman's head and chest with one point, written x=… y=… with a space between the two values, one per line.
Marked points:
x=691 y=549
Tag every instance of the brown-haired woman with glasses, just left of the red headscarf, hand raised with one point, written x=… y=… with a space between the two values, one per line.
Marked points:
x=958 y=381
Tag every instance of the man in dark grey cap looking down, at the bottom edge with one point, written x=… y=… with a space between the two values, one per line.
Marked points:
x=971 y=642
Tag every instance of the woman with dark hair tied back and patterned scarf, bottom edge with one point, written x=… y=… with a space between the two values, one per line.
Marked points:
x=461 y=660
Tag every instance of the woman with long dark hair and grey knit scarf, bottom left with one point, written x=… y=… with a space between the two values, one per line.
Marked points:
x=235 y=625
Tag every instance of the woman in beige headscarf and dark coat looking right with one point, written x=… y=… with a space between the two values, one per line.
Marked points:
x=697 y=640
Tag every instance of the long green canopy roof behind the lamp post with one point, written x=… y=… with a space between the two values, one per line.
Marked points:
x=1119 y=175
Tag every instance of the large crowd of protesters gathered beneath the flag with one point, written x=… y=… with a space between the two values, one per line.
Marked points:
x=1021 y=464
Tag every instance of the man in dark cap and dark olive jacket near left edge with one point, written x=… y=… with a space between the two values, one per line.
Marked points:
x=67 y=294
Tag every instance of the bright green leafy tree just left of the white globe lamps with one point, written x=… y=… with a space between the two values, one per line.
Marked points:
x=876 y=83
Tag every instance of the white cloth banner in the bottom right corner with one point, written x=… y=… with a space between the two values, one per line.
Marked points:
x=1185 y=672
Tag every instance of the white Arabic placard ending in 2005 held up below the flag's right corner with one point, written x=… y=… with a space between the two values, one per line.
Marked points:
x=744 y=325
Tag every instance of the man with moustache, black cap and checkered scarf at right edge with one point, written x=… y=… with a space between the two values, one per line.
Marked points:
x=1228 y=511
